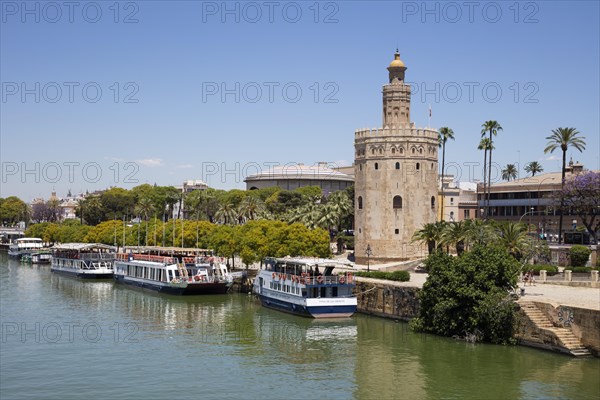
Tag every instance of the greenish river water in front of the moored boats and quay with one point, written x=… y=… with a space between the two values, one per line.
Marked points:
x=63 y=338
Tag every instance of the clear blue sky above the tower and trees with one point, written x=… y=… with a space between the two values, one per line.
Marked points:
x=174 y=56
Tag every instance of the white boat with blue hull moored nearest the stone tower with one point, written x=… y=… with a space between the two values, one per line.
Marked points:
x=307 y=287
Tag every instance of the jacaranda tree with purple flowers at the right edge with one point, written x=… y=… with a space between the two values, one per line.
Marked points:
x=581 y=196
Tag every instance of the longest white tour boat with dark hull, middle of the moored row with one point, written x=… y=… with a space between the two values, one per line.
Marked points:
x=172 y=275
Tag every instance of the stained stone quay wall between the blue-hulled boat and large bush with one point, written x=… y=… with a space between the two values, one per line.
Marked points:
x=387 y=299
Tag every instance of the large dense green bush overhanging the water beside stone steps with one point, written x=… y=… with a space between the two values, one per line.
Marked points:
x=468 y=296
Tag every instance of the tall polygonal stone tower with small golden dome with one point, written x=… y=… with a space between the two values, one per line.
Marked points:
x=395 y=178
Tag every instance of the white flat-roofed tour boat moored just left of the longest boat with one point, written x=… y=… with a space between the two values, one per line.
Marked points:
x=84 y=260
